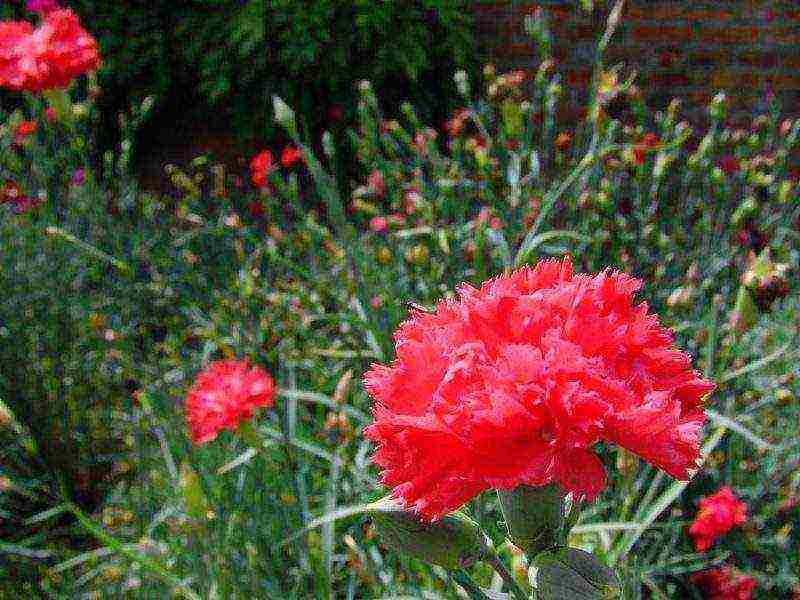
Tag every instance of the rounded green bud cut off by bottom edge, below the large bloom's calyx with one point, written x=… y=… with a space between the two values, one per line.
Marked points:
x=572 y=574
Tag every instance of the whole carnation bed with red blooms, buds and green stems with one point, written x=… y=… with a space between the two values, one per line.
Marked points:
x=515 y=357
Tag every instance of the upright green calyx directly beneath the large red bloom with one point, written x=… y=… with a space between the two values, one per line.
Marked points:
x=534 y=516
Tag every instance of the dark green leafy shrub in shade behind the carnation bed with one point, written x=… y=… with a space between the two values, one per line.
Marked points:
x=234 y=55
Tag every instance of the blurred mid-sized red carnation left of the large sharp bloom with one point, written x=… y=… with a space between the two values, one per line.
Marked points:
x=224 y=395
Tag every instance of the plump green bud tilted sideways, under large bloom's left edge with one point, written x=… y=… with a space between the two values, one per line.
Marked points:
x=455 y=541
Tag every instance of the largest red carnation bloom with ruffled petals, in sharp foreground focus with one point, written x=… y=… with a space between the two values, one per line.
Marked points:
x=516 y=381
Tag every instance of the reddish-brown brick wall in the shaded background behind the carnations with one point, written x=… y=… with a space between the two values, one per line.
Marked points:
x=680 y=48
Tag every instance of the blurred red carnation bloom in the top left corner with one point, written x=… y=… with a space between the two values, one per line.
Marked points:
x=48 y=57
